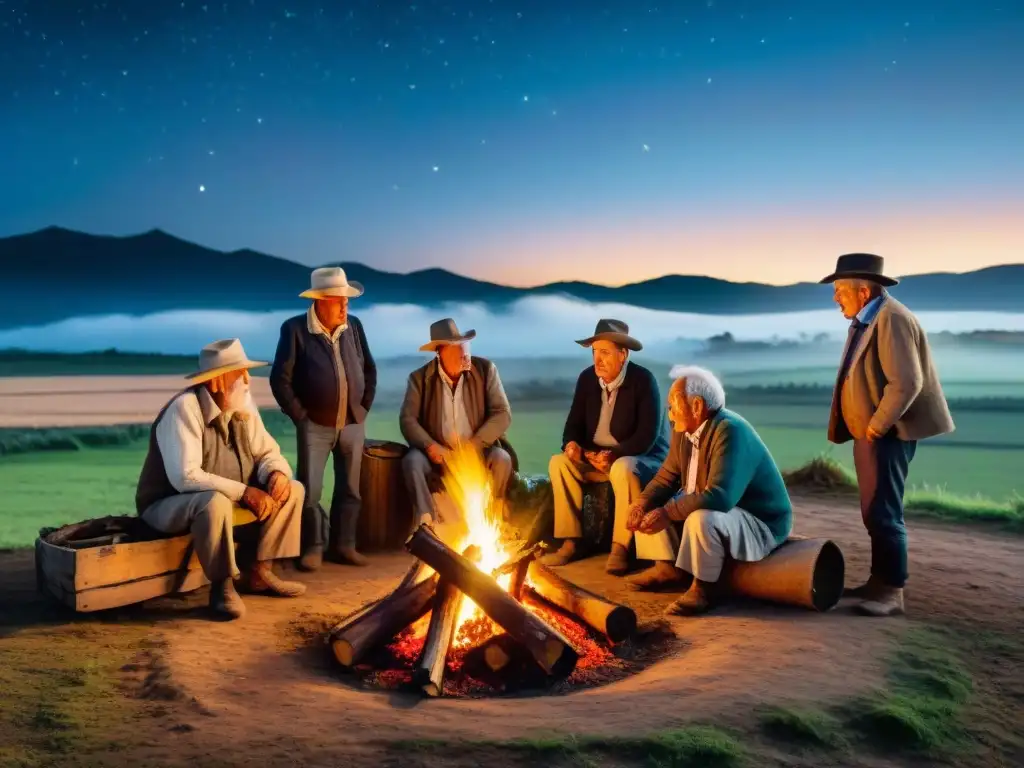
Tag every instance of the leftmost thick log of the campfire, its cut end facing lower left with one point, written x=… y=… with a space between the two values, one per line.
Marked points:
x=377 y=622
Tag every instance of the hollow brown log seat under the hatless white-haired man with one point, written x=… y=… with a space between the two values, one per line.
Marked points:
x=805 y=573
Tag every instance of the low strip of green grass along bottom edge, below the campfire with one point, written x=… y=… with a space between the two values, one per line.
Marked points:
x=678 y=748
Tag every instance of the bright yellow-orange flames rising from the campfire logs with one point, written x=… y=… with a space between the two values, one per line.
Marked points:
x=468 y=485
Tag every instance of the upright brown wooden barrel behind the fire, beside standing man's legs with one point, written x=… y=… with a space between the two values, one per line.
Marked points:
x=387 y=518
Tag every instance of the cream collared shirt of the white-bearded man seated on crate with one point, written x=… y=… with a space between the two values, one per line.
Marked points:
x=180 y=437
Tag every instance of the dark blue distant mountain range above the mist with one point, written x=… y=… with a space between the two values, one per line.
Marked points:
x=57 y=274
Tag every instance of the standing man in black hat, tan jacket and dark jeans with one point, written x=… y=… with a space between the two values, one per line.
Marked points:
x=887 y=398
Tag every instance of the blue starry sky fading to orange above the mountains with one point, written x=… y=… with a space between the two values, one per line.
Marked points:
x=608 y=141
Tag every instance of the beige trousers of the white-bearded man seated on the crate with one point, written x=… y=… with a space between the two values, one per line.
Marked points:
x=208 y=516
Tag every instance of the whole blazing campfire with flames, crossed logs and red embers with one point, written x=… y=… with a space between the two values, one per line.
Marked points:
x=477 y=609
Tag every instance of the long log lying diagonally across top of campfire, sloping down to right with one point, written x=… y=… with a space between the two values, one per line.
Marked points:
x=553 y=653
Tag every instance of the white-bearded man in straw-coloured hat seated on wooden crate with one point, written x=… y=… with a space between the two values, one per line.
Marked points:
x=209 y=452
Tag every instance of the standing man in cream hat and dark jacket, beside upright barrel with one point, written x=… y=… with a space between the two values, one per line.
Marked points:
x=325 y=379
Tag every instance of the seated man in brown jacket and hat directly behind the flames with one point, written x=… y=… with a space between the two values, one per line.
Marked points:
x=456 y=398
